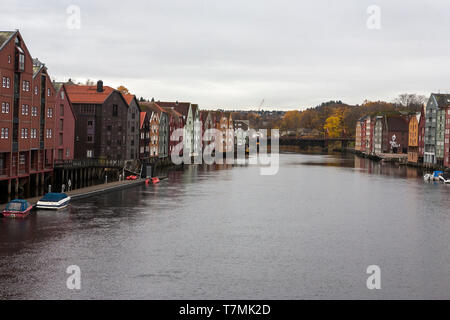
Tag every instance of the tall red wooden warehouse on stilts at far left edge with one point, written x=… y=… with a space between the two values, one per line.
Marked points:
x=27 y=125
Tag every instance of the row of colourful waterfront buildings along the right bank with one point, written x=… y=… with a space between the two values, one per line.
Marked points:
x=422 y=136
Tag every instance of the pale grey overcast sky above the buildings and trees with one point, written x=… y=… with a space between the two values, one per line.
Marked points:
x=233 y=54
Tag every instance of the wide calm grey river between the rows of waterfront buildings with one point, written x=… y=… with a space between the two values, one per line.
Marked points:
x=224 y=232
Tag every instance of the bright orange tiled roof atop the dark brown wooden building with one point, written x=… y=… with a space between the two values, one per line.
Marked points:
x=88 y=94
